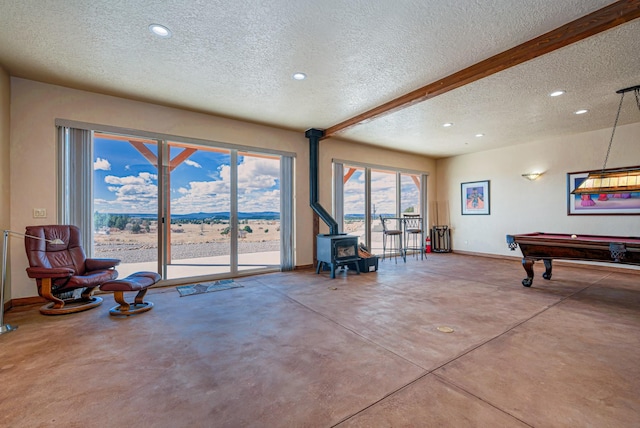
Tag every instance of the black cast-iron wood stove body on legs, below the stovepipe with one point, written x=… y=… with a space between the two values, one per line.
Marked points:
x=336 y=251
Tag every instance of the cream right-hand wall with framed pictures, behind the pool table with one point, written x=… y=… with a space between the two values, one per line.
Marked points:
x=522 y=206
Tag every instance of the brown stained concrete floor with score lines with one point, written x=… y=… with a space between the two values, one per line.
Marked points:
x=299 y=349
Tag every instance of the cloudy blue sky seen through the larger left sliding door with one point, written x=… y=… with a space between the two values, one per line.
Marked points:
x=126 y=182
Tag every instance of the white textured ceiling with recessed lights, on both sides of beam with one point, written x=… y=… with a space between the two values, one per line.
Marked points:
x=236 y=58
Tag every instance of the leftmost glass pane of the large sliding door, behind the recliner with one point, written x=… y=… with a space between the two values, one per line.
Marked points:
x=125 y=202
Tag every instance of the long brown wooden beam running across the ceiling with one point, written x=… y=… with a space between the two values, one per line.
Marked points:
x=601 y=20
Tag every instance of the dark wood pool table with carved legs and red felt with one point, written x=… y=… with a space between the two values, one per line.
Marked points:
x=596 y=248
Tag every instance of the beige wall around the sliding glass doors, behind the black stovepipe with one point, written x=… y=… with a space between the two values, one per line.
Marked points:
x=35 y=107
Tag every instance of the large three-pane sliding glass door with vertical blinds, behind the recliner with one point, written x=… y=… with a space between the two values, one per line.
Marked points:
x=183 y=209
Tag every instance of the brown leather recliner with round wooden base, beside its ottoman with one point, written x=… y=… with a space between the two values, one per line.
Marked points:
x=61 y=268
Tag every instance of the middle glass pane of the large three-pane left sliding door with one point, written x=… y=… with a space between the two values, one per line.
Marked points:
x=198 y=212
